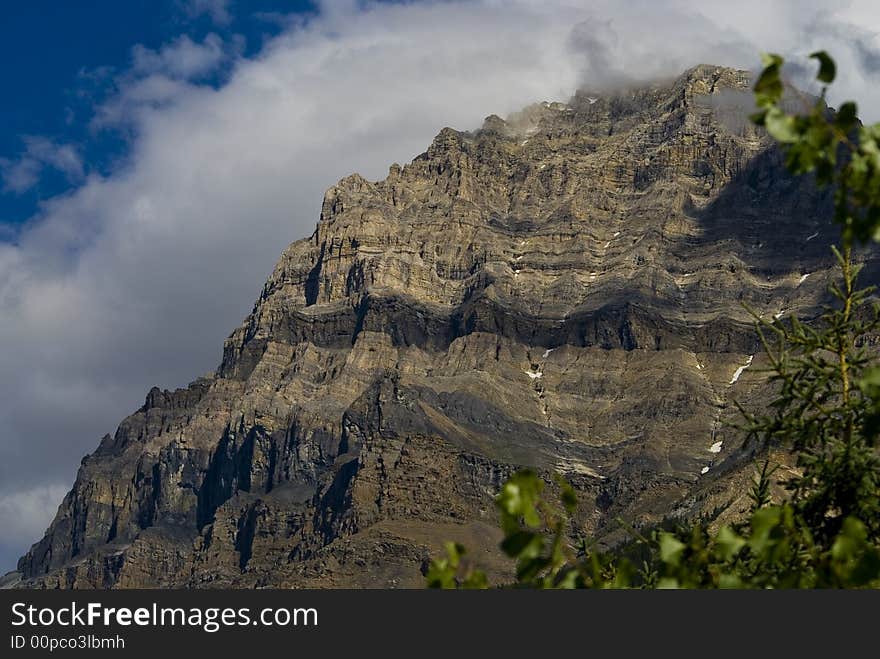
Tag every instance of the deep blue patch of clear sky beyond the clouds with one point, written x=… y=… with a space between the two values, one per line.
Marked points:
x=66 y=54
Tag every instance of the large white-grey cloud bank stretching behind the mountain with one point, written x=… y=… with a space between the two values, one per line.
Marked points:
x=135 y=279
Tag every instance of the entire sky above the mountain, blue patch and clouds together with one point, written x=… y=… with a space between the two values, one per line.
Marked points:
x=157 y=156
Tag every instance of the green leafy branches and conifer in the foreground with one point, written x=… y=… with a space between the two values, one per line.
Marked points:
x=827 y=411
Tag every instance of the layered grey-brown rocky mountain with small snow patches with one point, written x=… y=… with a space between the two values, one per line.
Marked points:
x=563 y=290
